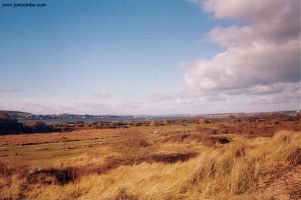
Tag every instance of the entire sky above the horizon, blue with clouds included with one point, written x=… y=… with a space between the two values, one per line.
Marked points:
x=153 y=57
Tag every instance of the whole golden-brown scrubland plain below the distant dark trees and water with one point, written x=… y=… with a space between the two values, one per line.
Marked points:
x=202 y=159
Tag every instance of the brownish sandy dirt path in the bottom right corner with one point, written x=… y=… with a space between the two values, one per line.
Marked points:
x=286 y=187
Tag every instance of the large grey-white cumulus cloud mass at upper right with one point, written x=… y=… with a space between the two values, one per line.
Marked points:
x=262 y=56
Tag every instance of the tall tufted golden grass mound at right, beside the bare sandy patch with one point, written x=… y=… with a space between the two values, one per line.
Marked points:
x=242 y=168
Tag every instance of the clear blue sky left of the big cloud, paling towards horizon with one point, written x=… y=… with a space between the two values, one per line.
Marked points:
x=104 y=56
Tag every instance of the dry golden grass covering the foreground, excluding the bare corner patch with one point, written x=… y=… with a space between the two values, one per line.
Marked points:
x=241 y=169
